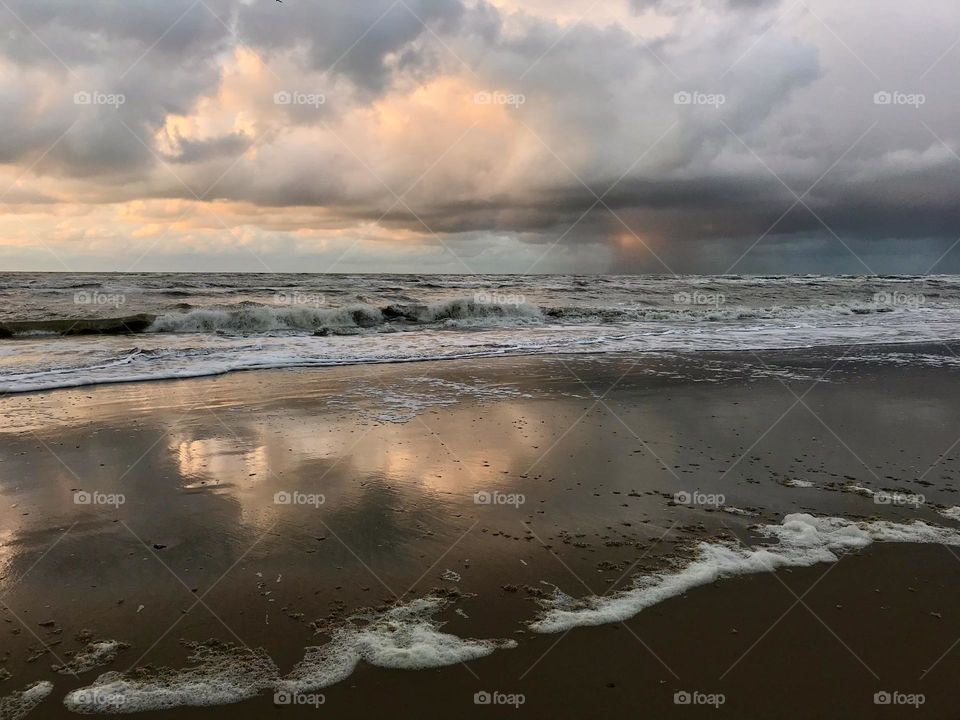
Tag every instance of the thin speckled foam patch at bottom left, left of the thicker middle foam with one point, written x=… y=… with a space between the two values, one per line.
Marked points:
x=221 y=674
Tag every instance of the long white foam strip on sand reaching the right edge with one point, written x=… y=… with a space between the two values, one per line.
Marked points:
x=804 y=540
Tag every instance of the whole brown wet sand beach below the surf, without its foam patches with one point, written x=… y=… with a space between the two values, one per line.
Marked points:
x=598 y=448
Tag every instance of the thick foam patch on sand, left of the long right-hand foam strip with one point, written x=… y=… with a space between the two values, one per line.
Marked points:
x=405 y=637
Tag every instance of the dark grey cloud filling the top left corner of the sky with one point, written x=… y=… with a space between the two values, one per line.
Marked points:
x=158 y=58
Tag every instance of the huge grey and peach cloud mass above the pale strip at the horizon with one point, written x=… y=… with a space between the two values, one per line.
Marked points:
x=793 y=108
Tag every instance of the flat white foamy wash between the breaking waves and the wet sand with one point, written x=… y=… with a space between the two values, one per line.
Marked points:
x=34 y=365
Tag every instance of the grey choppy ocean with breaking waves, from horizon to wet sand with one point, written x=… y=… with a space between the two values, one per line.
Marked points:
x=67 y=330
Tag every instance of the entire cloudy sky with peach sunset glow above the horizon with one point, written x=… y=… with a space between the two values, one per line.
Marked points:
x=521 y=136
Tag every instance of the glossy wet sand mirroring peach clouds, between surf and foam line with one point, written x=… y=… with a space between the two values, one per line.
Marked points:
x=200 y=547
